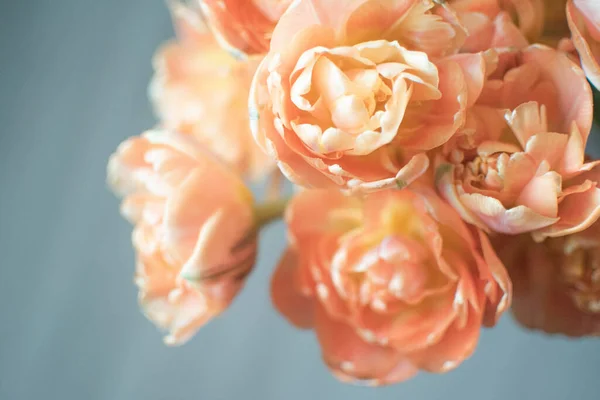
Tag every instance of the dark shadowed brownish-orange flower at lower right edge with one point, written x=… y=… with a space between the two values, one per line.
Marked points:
x=556 y=283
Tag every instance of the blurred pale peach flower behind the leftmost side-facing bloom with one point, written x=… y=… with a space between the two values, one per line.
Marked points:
x=201 y=90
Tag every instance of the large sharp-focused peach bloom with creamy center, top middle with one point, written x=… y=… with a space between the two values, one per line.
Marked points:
x=354 y=96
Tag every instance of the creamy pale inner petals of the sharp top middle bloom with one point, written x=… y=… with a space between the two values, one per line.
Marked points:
x=355 y=99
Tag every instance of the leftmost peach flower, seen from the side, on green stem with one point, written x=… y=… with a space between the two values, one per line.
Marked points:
x=194 y=229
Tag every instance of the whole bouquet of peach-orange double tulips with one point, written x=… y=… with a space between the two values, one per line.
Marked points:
x=438 y=154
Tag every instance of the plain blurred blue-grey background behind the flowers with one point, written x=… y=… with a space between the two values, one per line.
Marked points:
x=73 y=81
